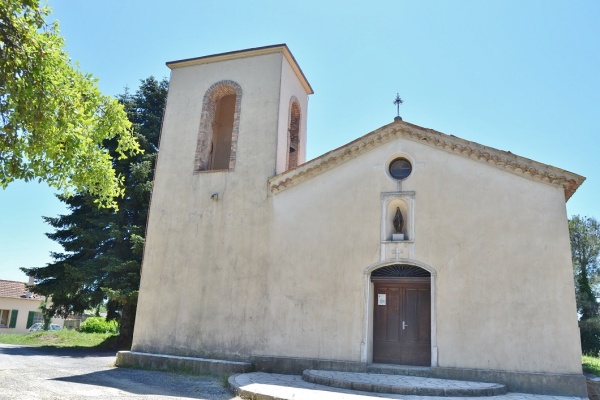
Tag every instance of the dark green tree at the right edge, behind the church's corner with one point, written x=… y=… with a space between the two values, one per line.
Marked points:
x=585 y=249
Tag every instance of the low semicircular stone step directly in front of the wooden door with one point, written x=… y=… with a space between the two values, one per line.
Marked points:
x=402 y=384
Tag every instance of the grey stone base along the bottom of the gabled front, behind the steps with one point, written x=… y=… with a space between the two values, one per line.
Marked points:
x=520 y=382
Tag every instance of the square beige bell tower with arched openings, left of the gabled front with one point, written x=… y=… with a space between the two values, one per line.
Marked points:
x=232 y=121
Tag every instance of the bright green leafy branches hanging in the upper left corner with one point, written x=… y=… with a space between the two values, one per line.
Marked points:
x=53 y=118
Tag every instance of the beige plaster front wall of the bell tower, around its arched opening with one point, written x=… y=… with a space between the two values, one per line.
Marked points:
x=195 y=244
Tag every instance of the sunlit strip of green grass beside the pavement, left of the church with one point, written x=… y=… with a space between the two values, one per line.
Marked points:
x=64 y=338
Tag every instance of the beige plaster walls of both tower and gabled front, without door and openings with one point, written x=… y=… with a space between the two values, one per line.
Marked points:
x=284 y=275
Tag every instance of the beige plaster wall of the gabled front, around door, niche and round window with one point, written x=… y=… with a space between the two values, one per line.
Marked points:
x=498 y=243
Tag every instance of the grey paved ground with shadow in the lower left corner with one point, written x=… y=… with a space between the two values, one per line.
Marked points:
x=47 y=373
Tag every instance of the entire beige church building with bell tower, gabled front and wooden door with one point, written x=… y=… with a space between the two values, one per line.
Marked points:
x=406 y=246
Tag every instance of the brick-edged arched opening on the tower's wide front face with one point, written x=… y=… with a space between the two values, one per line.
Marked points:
x=217 y=137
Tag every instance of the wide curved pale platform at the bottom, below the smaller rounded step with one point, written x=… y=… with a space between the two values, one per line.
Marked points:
x=265 y=386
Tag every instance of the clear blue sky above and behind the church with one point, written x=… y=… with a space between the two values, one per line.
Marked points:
x=522 y=76
